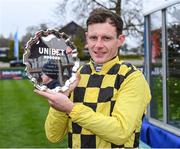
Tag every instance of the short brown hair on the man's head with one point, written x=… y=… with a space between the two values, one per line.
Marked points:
x=101 y=15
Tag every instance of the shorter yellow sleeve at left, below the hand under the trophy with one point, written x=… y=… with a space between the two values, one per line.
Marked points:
x=56 y=125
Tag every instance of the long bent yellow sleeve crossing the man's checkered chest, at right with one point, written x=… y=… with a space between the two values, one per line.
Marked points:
x=131 y=102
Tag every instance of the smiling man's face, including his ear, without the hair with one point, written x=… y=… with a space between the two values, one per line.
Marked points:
x=103 y=42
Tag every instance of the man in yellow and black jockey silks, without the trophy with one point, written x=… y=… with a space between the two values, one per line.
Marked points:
x=105 y=110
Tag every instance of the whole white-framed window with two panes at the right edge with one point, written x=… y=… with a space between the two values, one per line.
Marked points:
x=162 y=57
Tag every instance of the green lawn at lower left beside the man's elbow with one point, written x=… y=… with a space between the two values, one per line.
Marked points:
x=22 y=116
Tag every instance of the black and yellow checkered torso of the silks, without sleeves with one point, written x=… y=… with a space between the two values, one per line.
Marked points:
x=96 y=91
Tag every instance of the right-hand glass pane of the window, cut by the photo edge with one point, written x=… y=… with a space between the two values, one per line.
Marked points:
x=173 y=66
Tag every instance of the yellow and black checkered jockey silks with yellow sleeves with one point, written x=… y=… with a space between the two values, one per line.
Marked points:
x=109 y=101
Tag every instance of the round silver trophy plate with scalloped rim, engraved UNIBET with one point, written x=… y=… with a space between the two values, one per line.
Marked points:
x=53 y=54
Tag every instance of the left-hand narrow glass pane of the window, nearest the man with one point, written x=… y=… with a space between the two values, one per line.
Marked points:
x=156 y=66
